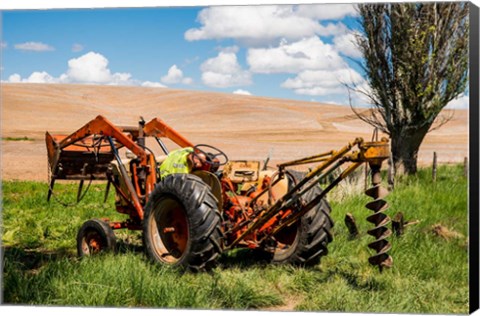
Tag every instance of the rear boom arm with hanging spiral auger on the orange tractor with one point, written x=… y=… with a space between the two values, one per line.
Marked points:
x=271 y=221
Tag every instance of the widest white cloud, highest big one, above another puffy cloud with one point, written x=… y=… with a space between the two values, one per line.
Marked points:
x=258 y=24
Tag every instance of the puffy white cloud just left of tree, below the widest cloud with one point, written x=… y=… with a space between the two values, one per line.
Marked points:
x=306 y=54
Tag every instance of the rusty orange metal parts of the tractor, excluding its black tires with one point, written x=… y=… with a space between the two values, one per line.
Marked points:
x=255 y=205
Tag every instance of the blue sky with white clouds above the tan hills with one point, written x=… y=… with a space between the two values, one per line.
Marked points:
x=301 y=52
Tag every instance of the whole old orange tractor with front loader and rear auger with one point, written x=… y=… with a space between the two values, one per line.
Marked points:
x=189 y=219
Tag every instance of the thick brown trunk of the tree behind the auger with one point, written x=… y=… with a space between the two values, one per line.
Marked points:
x=405 y=148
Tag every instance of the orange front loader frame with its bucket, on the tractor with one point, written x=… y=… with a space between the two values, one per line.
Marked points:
x=100 y=137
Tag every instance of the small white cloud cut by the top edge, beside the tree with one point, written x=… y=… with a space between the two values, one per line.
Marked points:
x=326 y=11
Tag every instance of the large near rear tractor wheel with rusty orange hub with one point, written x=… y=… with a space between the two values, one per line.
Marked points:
x=182 y=223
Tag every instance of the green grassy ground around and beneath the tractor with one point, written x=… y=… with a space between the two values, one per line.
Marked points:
x=430 y=272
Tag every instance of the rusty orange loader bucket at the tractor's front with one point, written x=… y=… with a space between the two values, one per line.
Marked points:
x=88 y=158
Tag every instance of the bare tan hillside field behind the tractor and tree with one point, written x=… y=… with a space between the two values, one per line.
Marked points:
x=245 y=127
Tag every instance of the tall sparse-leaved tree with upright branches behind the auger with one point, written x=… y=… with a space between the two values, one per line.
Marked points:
x=415 y=62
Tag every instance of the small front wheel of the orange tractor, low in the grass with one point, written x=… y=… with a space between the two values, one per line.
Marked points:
x=95 y=236
